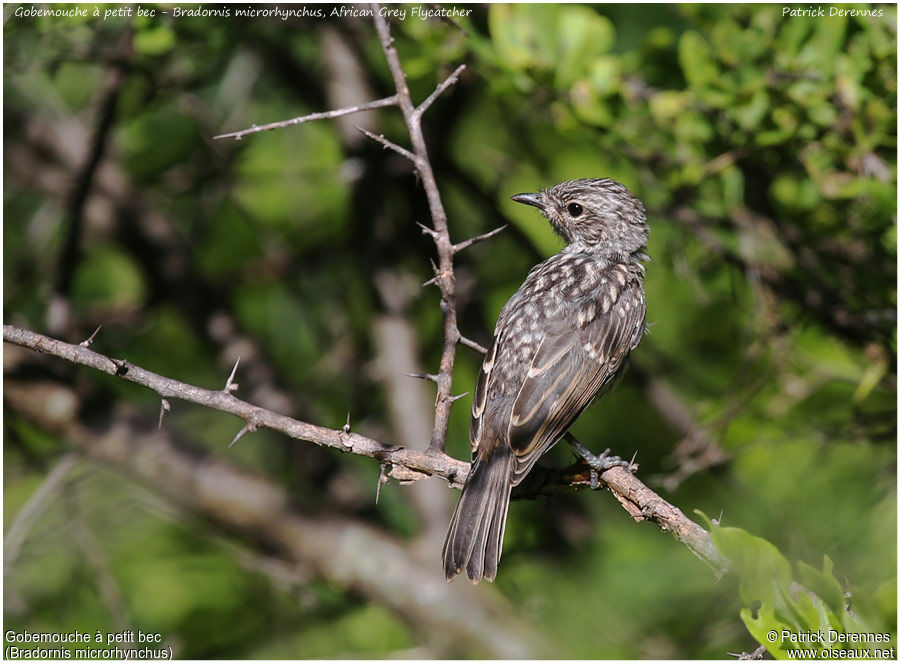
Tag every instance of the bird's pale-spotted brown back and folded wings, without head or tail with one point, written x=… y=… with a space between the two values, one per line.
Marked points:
x=567 y=319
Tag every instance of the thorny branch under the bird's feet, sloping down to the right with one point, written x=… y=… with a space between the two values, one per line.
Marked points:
x=405 y=465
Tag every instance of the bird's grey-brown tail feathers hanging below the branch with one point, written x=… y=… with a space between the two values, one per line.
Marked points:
x=475 y=538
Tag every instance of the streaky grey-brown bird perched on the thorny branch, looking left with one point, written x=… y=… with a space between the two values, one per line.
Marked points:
x=559 y=341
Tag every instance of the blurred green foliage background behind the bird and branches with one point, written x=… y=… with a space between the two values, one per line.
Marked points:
x=764 y=148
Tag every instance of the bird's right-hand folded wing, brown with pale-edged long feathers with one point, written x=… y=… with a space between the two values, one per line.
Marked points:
x=568 y=369
